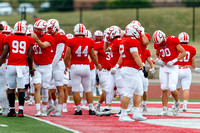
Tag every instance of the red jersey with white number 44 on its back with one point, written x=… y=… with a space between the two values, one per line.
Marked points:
x=80 y=49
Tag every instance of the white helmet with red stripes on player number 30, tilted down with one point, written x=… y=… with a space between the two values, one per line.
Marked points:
x=159 y=37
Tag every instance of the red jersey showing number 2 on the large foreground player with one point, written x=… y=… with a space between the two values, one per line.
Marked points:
x=127 y=58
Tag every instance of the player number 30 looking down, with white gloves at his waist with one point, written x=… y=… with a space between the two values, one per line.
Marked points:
x=167 y=53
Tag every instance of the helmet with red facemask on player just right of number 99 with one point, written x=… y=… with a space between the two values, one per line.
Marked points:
x=40 y=27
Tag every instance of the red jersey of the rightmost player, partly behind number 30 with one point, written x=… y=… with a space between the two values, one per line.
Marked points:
x=190 y=51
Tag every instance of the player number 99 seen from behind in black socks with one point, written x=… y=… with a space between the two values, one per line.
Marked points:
x=18 y=46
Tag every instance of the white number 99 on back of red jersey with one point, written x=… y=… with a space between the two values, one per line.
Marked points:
x=19 y=47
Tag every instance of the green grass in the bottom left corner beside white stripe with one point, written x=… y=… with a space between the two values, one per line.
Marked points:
x=26 y=124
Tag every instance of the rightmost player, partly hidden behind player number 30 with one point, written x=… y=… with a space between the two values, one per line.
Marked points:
x=184 y=72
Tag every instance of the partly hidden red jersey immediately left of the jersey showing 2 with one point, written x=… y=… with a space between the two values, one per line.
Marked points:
x=114 y=46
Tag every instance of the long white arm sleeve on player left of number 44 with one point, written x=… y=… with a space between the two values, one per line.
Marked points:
x=59 y=50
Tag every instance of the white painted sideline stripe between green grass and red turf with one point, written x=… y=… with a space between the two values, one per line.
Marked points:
x=48 y=122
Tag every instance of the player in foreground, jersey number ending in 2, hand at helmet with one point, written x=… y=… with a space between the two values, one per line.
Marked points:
x=131 y=62
